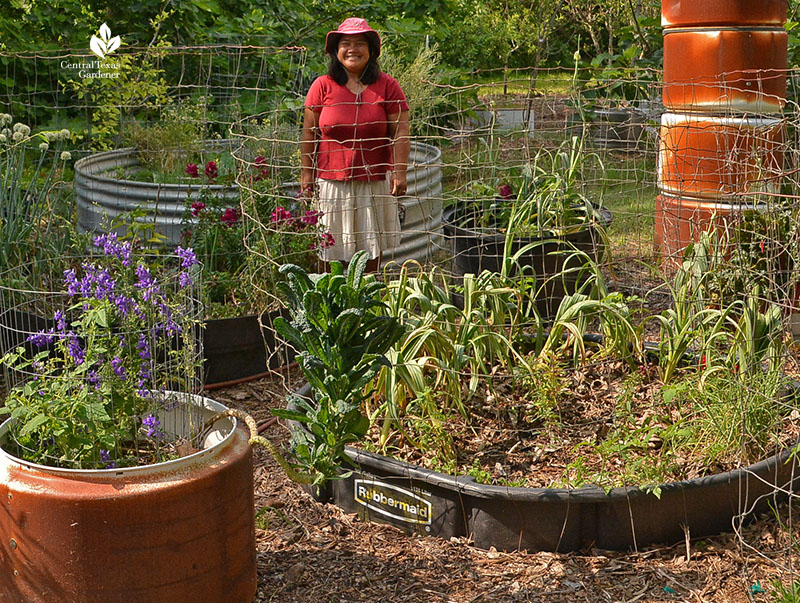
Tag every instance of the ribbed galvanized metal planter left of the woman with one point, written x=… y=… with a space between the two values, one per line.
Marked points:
x=101 y=196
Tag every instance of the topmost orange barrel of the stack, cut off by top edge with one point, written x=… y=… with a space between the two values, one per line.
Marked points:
x=682 y=13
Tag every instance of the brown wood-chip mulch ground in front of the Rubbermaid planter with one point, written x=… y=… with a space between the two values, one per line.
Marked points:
x=308 y=551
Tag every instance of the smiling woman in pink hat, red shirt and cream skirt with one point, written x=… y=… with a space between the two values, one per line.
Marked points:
x=355 y=146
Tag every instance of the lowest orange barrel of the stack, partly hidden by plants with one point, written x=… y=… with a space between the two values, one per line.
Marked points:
x=680 y=221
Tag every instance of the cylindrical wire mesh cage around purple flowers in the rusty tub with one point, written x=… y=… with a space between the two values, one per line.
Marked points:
x=124 y=355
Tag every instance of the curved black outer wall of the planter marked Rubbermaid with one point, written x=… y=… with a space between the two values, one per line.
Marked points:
x=421 y=501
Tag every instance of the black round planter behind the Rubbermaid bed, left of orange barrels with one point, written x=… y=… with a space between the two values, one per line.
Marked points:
x=553 y=260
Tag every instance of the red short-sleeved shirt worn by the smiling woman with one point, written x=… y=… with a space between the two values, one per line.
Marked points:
x=354 y=142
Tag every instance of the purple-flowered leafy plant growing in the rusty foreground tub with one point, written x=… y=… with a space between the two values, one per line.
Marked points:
x=124 y=336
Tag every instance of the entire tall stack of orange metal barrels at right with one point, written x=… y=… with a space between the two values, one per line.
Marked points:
x=721 y=137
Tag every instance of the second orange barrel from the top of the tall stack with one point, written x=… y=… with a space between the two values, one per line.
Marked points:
x=741 y=69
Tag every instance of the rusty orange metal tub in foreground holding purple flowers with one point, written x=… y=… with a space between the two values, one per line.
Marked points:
x=176 y=531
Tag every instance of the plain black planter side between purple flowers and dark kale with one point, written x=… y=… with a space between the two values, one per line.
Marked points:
x=240 y=347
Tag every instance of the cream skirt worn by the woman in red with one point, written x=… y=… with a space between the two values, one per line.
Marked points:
x=360 y=214
